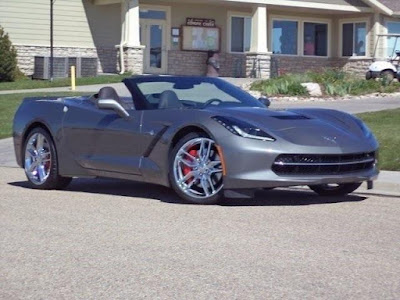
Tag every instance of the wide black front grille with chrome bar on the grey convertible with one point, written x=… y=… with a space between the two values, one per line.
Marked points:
x=315 y=164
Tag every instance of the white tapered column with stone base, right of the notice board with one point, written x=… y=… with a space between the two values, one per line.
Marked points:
x=258 y=60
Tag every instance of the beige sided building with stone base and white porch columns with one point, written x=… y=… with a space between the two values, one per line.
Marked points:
x=256 y=38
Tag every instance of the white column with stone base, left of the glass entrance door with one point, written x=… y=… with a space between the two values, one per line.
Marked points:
x=133 y=51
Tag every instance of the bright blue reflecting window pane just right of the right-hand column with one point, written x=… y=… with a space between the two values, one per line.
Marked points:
x=284 y=37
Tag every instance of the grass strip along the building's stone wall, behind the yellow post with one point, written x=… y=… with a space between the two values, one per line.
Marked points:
x=26 y=83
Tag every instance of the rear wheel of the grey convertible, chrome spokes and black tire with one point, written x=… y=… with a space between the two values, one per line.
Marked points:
x=40 y=162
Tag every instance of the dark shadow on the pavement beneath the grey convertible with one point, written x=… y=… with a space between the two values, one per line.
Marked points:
x=278 y=197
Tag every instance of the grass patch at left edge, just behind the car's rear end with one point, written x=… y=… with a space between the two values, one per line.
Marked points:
x=9 y=104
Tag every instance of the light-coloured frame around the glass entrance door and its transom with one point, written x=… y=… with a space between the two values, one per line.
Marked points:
x=167 y=38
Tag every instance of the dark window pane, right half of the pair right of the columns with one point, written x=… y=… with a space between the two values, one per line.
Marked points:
x=315 y=39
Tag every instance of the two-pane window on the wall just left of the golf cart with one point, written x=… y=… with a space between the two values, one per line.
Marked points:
x=354 y=36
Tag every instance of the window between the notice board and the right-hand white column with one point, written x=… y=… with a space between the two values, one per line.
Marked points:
x=240 y=34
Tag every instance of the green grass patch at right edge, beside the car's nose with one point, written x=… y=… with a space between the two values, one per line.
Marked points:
x=386 y=127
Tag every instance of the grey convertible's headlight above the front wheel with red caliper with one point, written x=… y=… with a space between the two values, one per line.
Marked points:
x=243 y=129
